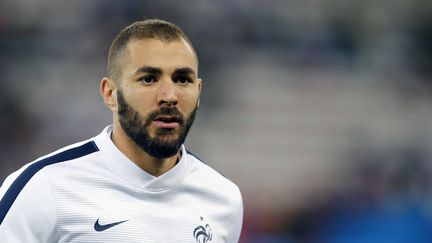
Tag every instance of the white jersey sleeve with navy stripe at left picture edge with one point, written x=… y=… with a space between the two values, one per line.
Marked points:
x=27 y=210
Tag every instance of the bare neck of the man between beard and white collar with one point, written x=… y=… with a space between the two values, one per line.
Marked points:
x=152 y=165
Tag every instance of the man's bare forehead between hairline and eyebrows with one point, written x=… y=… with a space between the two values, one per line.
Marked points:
x=160 y=54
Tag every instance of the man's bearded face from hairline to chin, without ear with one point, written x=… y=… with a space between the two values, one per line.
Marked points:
x=158 y=95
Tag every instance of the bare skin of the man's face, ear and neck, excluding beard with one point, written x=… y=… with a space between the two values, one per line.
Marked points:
x=147 y=92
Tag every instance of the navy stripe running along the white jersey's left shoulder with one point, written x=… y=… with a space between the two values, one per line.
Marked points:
x=19 y=183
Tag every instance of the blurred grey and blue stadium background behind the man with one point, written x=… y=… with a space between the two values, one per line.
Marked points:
x=320 y=110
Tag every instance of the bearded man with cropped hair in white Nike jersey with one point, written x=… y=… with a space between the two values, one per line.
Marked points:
x=134 y=182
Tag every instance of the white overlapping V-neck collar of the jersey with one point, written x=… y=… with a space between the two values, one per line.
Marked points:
x=129 y=171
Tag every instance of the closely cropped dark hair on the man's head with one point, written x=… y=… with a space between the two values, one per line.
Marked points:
x=147 y=29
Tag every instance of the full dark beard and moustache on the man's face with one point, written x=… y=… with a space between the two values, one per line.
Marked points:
x=166 y=142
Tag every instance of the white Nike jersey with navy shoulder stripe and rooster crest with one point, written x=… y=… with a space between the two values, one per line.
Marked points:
x=91 y=192
